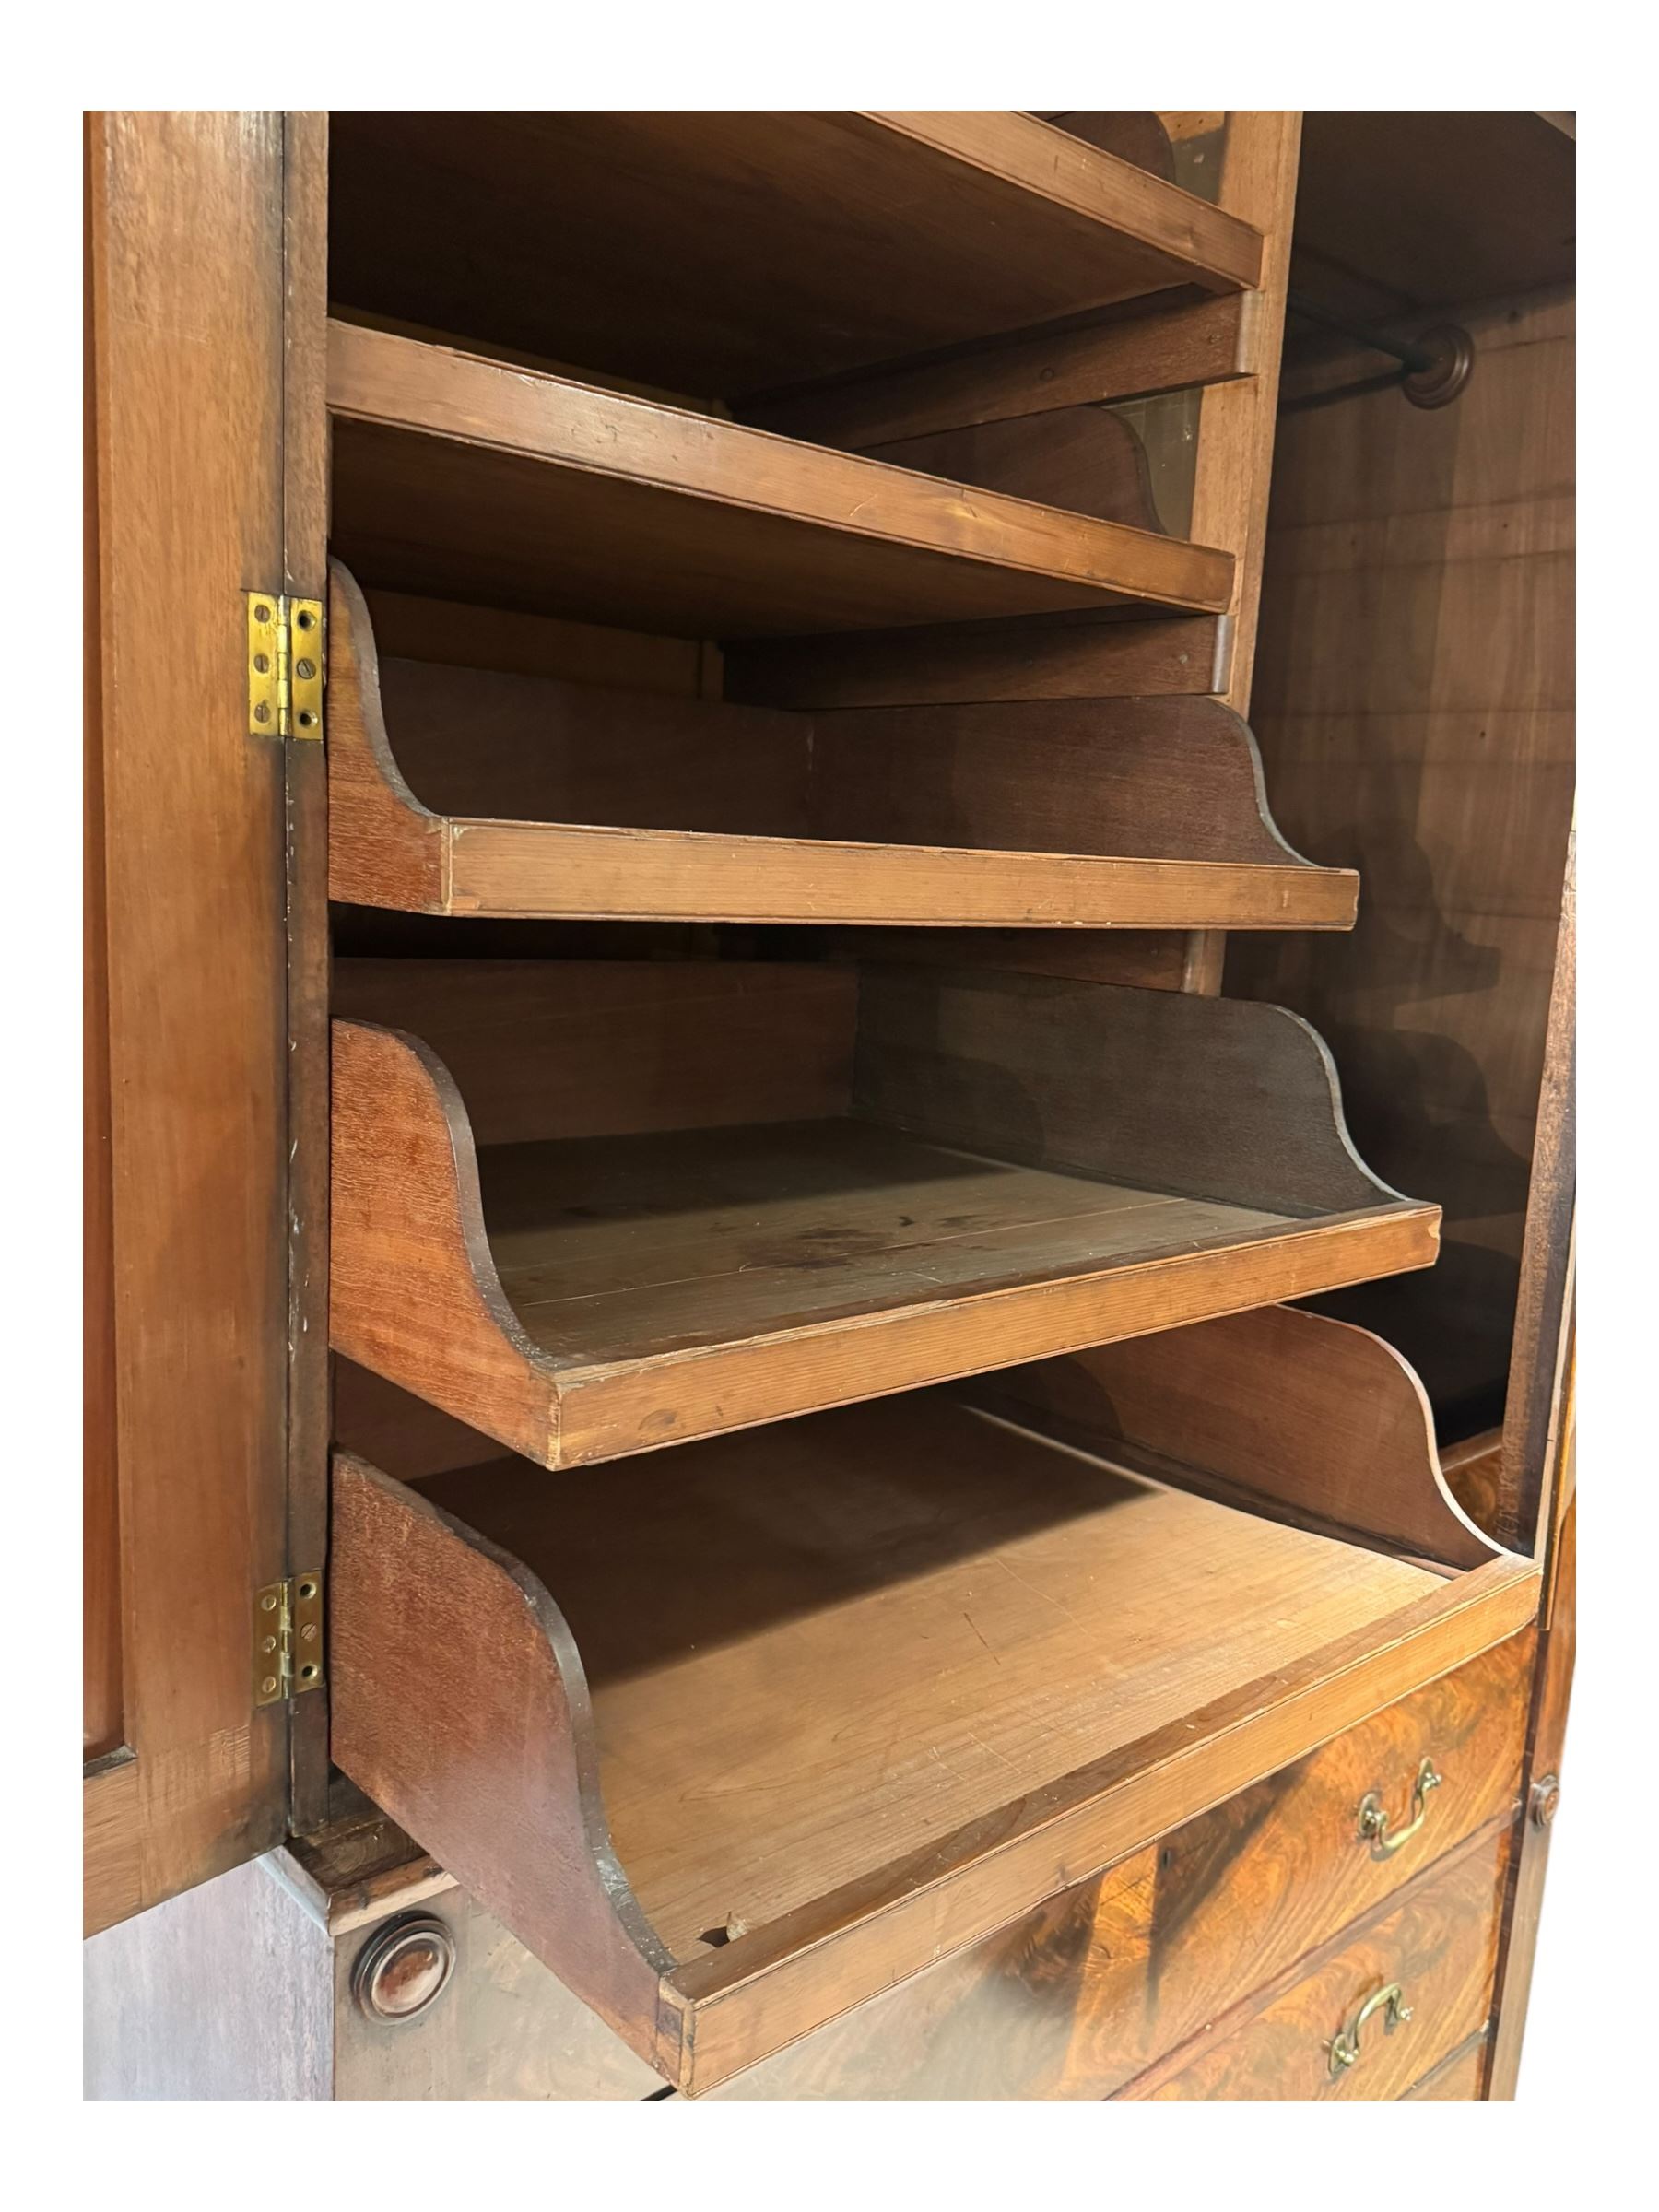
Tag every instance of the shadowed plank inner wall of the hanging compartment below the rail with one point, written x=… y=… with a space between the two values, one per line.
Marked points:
x=1415 y=709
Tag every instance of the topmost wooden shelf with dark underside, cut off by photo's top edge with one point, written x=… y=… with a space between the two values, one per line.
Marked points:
x=727 y=253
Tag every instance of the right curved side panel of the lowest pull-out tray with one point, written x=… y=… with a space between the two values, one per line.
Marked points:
x=1282 y=1408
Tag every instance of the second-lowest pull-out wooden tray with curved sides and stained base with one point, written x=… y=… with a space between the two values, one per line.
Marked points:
x=601 y=1207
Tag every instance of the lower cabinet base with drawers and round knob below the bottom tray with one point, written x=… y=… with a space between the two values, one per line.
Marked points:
x=1114 y=1987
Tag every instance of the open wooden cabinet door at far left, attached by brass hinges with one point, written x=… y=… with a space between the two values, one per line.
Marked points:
x=187 y=1005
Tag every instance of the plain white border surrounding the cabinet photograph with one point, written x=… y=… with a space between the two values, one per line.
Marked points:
x=1589 y=2049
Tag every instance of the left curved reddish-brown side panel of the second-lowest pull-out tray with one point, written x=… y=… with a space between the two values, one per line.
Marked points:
x=408 y=1213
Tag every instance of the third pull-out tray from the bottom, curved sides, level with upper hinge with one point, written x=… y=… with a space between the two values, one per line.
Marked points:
x=662 y=808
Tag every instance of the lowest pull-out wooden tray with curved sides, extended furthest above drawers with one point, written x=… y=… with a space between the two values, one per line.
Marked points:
x=738 y=1751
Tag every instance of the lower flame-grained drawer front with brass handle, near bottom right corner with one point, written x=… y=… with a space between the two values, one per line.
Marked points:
x=1437 y=1948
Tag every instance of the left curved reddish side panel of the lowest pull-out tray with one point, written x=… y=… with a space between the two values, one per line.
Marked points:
x=505 y=1720
